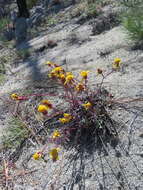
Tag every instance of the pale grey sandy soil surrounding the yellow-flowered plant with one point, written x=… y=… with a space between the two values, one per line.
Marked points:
x=78 y=49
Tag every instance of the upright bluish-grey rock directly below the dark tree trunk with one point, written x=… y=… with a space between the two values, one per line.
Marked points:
x=20 y=29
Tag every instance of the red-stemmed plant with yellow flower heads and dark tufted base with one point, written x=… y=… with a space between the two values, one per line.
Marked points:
x=86 y=115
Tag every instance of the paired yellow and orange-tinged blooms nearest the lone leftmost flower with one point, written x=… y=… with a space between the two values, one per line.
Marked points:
x=44 y=106
